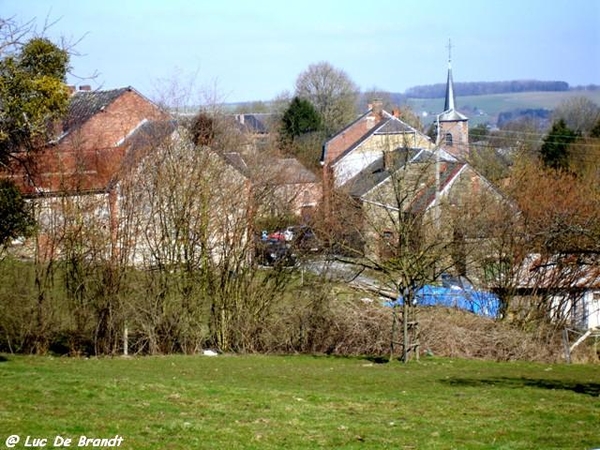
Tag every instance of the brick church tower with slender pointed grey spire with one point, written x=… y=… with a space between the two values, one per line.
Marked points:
x=453 y=127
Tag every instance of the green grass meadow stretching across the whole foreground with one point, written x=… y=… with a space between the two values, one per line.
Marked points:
x=273 y=402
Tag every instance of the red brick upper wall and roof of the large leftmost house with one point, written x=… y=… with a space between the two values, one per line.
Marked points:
x=89 y=146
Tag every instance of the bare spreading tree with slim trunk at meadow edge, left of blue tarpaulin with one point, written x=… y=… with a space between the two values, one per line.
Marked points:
x=395 y=234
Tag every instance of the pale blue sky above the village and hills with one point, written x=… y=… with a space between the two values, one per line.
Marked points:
x=254 y=50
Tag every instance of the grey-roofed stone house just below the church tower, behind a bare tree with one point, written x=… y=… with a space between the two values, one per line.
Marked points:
x=411 y=192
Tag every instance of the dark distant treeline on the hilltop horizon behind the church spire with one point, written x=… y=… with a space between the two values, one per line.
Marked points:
x=486 y=88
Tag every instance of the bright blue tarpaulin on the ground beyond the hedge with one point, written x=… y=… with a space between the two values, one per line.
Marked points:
x=454 y=296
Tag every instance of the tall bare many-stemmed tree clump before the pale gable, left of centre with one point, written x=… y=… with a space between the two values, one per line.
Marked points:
x=196 y=243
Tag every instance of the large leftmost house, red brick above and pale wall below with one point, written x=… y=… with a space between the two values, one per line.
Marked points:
x=71 y=182
